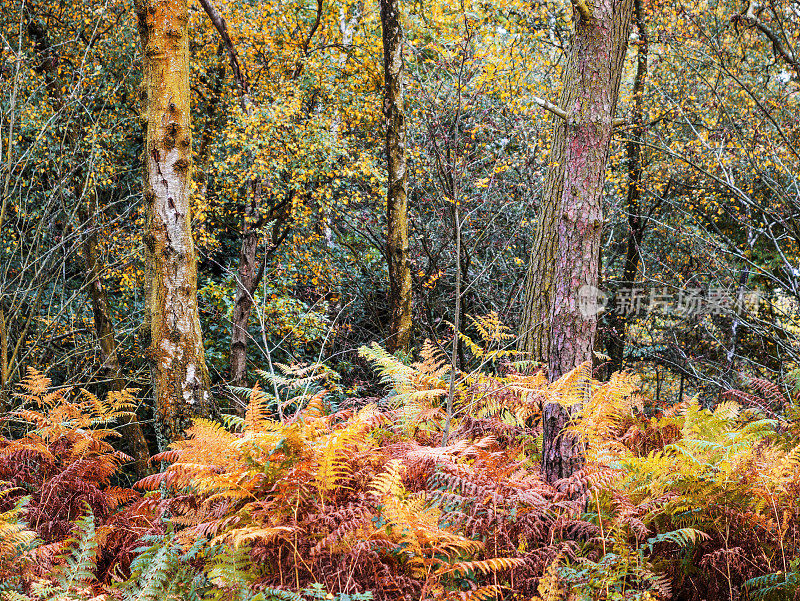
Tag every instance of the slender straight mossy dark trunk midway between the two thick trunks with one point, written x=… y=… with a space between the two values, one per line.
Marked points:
x=396 y=198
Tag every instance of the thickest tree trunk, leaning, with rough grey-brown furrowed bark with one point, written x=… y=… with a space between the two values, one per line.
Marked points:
x=565 y=253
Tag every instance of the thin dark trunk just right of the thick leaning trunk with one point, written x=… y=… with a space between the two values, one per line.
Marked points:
x=618 y=322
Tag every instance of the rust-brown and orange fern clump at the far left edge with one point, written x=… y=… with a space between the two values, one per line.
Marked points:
x=64 y=462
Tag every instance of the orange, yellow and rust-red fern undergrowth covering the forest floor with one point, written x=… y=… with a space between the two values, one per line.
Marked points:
x=364 y=502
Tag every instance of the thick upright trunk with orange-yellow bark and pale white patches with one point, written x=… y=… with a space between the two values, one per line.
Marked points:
x=180 y=376
